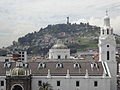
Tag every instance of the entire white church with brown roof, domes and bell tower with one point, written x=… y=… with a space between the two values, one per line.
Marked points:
x=64 y=73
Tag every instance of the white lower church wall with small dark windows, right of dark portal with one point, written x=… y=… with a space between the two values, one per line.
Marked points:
x=70 y=84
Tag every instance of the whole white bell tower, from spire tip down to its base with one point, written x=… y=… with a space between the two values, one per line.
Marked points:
x=107 y=50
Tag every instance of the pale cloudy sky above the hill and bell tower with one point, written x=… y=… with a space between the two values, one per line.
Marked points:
x=19 y=17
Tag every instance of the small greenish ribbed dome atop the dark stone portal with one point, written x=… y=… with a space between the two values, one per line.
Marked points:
x=18 y=71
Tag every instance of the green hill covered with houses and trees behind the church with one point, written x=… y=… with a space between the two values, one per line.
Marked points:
x=76 y=36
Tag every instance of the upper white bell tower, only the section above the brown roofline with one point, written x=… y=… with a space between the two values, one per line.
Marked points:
x=107 y=43
